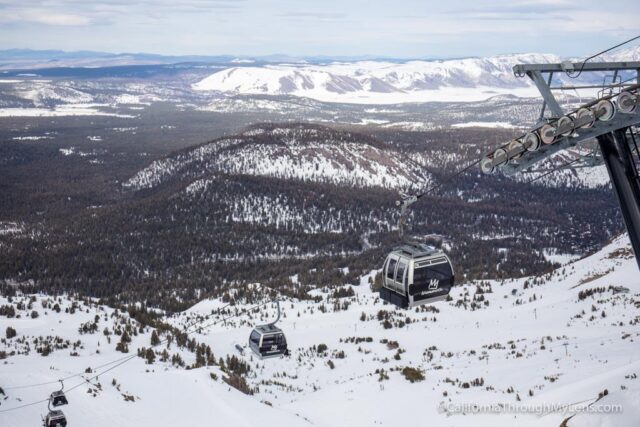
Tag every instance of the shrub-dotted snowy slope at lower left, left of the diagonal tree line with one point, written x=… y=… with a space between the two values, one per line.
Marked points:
x=161 y=395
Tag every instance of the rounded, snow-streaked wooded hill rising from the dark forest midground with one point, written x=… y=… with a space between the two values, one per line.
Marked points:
x=291 y=151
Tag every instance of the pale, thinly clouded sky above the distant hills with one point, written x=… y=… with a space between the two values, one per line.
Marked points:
x=393 y=28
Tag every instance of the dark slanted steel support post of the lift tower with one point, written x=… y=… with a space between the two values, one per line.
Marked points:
x=619 y=160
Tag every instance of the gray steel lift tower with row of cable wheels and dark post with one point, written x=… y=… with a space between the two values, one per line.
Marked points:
x=611 y=119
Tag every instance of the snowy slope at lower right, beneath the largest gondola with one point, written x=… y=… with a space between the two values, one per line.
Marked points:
x=514 y=342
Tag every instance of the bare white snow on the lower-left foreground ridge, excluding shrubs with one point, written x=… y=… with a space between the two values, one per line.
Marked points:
x=188 y=397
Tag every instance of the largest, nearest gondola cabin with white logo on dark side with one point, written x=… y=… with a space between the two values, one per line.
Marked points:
x=416 y=274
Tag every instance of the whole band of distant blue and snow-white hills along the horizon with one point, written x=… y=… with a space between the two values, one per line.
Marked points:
x=353 y=80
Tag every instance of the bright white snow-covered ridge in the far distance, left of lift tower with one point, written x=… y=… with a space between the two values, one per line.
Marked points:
x=379 y=82
